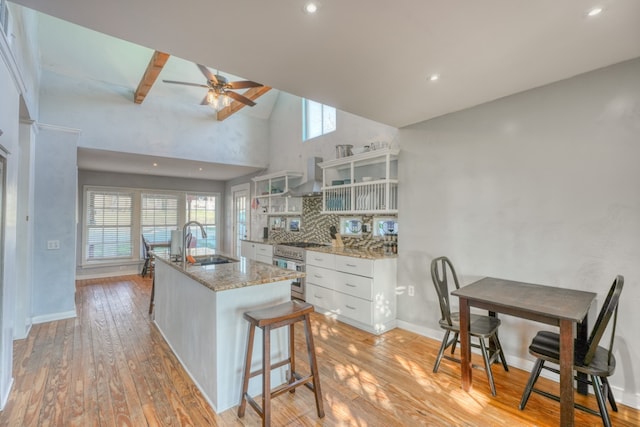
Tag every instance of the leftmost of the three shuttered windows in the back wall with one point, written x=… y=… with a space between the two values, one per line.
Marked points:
x=108 y=225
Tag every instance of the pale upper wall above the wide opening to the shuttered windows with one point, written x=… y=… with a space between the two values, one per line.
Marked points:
x=109 y=120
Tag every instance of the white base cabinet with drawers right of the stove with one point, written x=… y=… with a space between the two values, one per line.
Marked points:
x=360 y=292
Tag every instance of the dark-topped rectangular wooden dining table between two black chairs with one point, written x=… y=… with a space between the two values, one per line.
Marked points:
x=551 y=305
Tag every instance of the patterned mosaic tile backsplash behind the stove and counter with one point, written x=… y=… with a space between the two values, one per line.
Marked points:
x=315 y=227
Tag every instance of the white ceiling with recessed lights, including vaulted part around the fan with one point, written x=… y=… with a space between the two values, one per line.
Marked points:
x=371 y=58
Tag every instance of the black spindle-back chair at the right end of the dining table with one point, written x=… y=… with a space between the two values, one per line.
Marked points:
x=595 y=361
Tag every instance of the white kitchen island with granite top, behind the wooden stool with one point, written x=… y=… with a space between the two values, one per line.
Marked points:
x=199 y=311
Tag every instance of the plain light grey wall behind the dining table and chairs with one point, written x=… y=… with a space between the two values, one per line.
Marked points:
x=540 y=187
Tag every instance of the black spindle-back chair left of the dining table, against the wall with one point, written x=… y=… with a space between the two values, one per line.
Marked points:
x=481 y=327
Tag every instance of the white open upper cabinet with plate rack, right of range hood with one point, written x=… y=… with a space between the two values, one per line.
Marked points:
x=362 y=183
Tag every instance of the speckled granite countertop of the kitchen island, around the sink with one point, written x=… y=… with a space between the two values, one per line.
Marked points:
x=234 y=275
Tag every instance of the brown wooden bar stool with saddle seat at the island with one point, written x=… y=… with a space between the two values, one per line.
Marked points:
x=267 y=319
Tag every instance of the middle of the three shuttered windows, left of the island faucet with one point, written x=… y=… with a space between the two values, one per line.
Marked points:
x=159 y=215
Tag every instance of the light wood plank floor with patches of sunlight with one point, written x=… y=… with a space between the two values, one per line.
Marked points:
x=110 y=366
